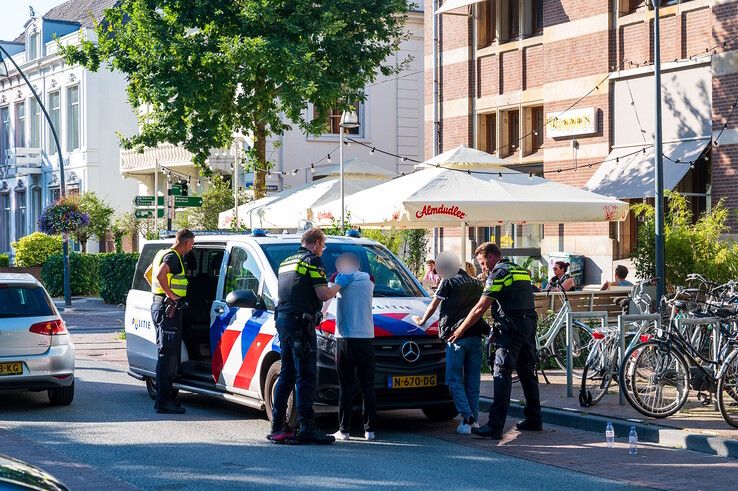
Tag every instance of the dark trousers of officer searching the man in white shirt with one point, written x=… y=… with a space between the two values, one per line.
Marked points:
x=299 y=349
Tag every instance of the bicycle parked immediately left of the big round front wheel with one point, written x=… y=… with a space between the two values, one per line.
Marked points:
x=602 y=366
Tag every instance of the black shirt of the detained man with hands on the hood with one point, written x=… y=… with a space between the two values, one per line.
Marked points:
x=459 y=294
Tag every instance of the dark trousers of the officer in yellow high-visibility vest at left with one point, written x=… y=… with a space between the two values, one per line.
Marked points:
x=168 y=340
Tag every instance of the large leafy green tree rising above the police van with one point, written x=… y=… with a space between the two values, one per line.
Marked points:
x=209 y=68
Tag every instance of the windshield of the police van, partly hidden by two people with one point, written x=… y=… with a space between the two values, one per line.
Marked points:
x=390 y=277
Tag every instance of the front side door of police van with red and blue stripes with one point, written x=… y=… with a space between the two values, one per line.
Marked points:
x=236 y=340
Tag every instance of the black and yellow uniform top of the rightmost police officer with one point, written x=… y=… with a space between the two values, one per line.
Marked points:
x=510 y=285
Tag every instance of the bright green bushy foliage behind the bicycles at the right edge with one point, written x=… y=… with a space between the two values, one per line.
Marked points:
x=690 y=246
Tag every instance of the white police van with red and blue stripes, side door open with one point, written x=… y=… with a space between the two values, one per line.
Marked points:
x=230 y=347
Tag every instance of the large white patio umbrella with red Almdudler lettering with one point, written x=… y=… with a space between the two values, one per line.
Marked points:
x=452 y=190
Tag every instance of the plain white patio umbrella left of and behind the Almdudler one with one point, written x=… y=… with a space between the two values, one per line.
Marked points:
x=287 y=208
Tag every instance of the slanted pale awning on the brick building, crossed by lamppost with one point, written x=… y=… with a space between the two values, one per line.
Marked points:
x=629 y=172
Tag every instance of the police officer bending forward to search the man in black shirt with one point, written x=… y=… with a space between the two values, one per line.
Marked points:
x=510 y=286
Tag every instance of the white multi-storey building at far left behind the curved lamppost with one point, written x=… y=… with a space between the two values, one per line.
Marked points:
x=87 y=109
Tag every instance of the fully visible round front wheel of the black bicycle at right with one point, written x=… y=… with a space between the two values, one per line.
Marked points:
x=657 y=379
